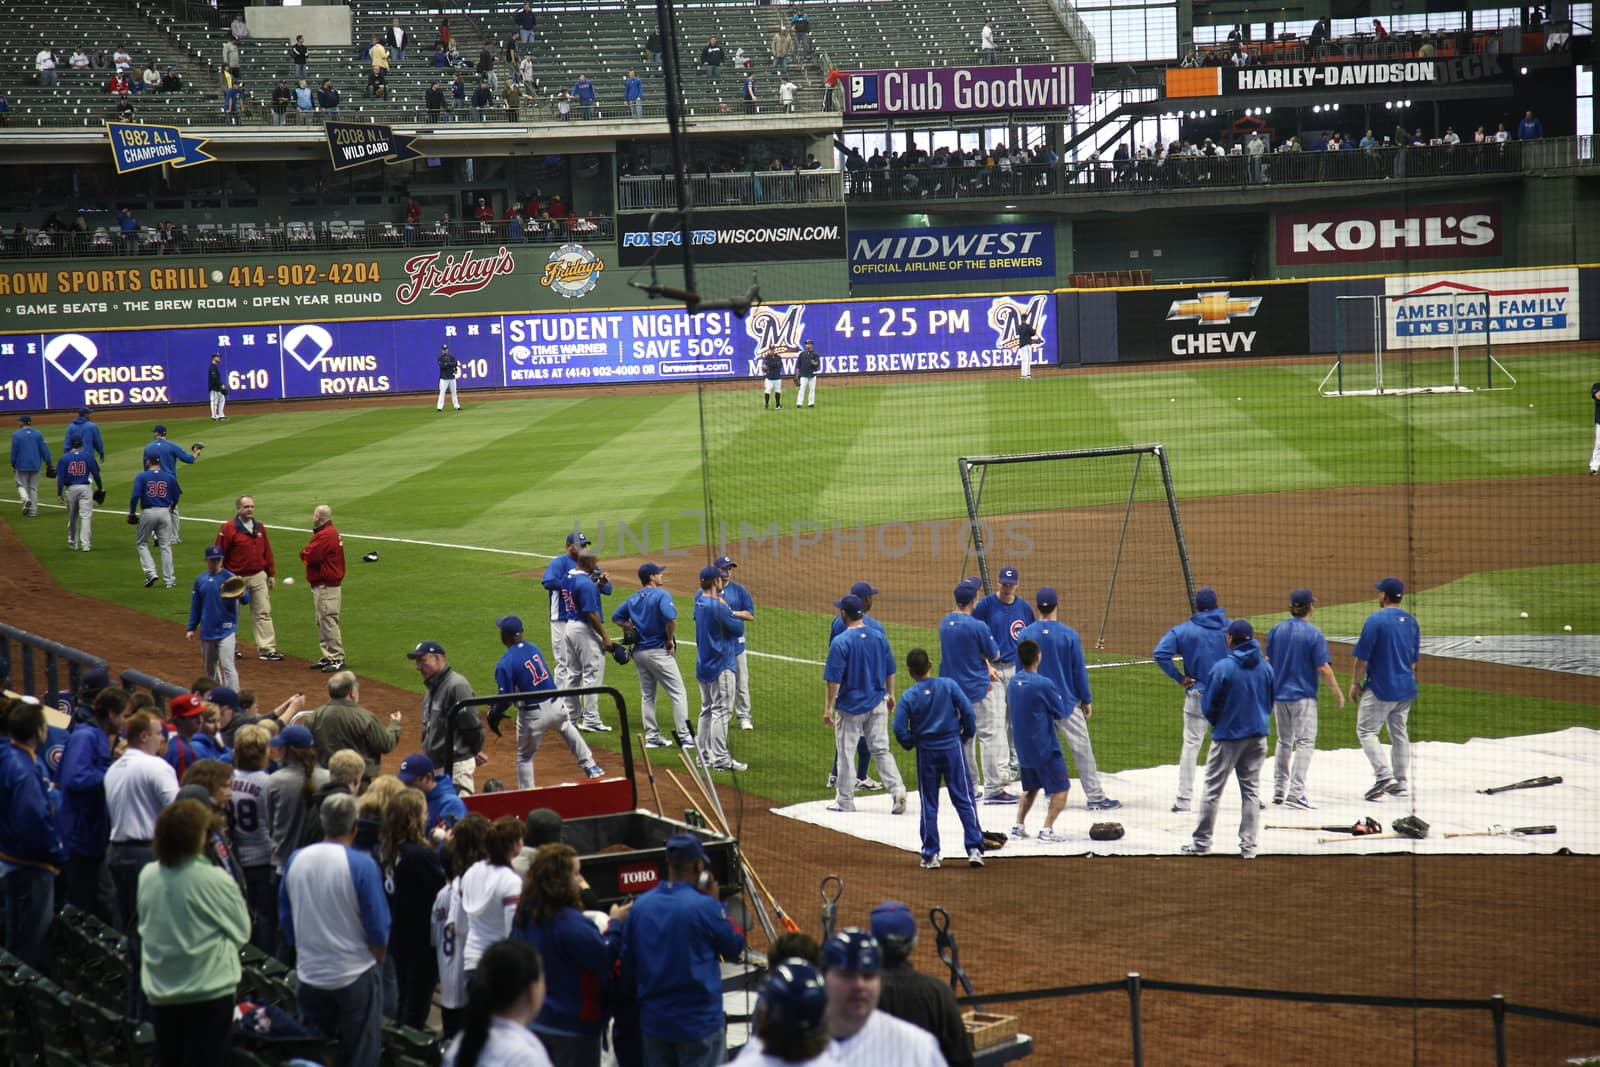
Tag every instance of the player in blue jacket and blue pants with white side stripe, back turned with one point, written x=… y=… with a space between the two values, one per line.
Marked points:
x=934 y=717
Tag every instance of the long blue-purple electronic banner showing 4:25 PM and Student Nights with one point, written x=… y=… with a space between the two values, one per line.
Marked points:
x=343 y=359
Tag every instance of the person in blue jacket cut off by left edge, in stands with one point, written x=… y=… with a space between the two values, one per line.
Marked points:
x=30 y=841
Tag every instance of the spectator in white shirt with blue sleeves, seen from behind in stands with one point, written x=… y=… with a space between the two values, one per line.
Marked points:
x=334 y=909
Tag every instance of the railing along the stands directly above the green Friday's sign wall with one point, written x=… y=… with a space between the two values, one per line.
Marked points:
x=295 y=238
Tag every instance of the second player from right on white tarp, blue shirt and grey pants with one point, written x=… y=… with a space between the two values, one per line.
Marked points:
x=1300 y=661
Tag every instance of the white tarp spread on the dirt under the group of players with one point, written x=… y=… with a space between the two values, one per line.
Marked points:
x=1444 y=794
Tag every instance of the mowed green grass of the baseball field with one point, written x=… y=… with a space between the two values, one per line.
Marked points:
x=514 y=476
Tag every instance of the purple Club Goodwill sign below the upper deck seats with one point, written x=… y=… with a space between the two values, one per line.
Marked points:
x=969 y=90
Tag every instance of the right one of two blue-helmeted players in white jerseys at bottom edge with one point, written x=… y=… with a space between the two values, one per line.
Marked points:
x=865 y=1036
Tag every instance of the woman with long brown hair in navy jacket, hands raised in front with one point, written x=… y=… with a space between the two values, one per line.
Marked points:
x=577 y=956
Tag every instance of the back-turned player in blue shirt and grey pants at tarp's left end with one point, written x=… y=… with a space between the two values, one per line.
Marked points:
x=860 y=676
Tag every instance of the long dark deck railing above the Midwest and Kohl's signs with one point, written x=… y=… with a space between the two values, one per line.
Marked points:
x=1097 y=178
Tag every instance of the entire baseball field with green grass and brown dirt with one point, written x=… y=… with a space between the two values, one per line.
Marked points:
x=1479 y=502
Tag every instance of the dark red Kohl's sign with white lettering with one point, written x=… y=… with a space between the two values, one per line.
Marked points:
x=1426 y=231
